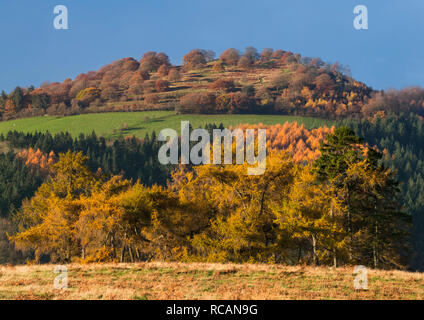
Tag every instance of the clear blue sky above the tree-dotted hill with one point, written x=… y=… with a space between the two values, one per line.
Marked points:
x=389 y=54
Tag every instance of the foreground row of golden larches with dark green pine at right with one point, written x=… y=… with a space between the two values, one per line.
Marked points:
x=340 y=210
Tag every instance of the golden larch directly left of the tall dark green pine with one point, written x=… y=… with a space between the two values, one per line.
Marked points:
x=313 y=218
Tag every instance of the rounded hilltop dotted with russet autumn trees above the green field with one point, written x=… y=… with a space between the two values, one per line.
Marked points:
x=272 y=82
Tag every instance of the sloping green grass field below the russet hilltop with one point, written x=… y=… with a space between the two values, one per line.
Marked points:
x=111 y=125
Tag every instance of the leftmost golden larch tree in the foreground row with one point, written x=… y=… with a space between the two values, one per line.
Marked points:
x=47 y=220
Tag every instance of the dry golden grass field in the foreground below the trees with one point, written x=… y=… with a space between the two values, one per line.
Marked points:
x=157 y=280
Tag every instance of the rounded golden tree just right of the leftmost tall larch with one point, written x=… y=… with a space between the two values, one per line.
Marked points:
x=111 y=222
